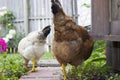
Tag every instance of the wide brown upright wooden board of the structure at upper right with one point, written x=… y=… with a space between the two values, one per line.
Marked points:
x=100 y=17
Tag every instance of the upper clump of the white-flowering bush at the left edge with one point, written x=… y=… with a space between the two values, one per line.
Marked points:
x=6 y=21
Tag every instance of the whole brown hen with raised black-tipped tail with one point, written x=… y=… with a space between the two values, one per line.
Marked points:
x=71 y=44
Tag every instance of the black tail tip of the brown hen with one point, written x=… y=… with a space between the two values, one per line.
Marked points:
x=56 y=6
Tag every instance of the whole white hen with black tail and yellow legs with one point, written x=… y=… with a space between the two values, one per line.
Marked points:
x=33 y=46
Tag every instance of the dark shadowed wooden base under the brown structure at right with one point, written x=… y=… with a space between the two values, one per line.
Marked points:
x=113 y=54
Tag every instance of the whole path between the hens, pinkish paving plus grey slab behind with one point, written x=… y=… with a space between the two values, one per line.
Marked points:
x=47 y=70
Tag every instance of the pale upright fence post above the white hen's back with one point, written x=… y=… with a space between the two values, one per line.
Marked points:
x=26 y=17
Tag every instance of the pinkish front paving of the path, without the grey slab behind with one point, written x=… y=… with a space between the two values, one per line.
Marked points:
x=44 y=73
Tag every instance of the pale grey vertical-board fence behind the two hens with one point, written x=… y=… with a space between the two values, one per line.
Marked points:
x=38 y=9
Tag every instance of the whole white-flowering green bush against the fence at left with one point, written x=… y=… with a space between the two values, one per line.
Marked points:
x=12 y=38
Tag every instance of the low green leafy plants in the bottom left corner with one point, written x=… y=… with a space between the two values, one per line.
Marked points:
x=11 y=67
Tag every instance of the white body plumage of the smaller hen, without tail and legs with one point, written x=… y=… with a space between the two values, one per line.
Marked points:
x=30 y=46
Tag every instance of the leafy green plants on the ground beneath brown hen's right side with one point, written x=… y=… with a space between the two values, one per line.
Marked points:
x=90 y=70
